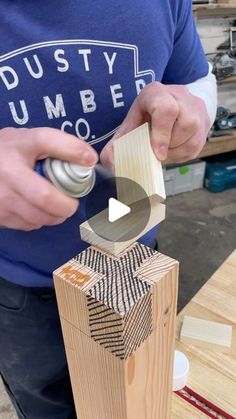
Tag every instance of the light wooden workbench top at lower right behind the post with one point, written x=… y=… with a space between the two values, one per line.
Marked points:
x=212 y=373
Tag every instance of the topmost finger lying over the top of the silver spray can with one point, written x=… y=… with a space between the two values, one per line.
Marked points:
x=60 y=145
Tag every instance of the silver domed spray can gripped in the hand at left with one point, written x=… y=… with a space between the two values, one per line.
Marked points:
x=72 y=179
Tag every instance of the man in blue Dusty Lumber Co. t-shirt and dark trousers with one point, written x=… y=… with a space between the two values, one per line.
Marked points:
x=72 y=73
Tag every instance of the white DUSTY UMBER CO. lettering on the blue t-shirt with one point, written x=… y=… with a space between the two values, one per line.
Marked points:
x=12 y=78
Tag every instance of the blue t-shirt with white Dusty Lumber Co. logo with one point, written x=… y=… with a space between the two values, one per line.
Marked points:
x=78 y=66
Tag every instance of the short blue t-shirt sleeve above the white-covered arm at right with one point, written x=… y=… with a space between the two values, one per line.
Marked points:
x=187 y=62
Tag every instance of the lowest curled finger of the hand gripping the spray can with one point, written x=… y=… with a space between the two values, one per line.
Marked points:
x=33 y=215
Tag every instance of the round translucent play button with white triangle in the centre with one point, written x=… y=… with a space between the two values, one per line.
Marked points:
x=121 y=220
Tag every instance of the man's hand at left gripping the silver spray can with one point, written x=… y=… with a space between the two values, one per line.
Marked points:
x=27 y=200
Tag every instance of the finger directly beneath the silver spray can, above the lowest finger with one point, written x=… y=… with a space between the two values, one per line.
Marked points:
x=40 y=193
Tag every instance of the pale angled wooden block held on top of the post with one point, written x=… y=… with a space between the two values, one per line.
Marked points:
x=134 y=160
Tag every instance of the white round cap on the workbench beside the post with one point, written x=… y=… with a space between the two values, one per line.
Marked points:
x=181 y=371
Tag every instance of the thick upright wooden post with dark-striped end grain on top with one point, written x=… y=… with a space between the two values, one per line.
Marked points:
x=118 y=322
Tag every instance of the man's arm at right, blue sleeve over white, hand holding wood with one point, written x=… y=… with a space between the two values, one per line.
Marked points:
x=182 y=108
